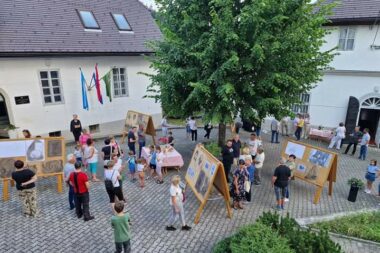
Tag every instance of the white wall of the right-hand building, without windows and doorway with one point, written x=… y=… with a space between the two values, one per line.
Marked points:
x=355 y=73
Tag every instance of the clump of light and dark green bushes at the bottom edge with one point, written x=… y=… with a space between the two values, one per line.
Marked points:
x=270 y=228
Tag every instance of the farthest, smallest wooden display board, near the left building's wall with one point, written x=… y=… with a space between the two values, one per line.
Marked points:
x=136 y=119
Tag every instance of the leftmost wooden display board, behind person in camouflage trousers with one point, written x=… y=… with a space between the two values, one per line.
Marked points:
x=45 y=156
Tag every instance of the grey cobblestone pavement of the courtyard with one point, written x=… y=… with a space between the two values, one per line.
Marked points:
x=58 y=230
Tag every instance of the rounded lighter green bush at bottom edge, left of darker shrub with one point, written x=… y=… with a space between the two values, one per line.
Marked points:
x=256 y=238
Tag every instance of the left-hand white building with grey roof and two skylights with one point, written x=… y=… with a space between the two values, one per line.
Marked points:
x=40 y=81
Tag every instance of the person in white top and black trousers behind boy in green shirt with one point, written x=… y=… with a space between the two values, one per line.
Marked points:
x=112 y=183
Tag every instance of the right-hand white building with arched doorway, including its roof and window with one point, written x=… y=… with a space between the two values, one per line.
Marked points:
x=350 y=92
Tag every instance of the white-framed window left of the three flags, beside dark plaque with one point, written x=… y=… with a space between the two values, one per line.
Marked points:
x=51 y=87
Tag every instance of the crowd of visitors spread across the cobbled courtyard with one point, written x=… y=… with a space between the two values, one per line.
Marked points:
x=242 y=160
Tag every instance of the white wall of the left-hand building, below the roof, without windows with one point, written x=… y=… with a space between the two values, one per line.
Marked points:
x=20 y=76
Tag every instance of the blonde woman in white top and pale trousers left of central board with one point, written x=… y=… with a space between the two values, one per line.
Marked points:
x=176 y=204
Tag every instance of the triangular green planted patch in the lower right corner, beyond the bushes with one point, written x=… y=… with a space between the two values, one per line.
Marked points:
x=365 y=226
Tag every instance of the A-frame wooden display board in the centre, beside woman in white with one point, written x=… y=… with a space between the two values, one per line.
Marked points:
x=204 y=172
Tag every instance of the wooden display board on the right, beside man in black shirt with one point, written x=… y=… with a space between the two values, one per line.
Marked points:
x=313 y=165
